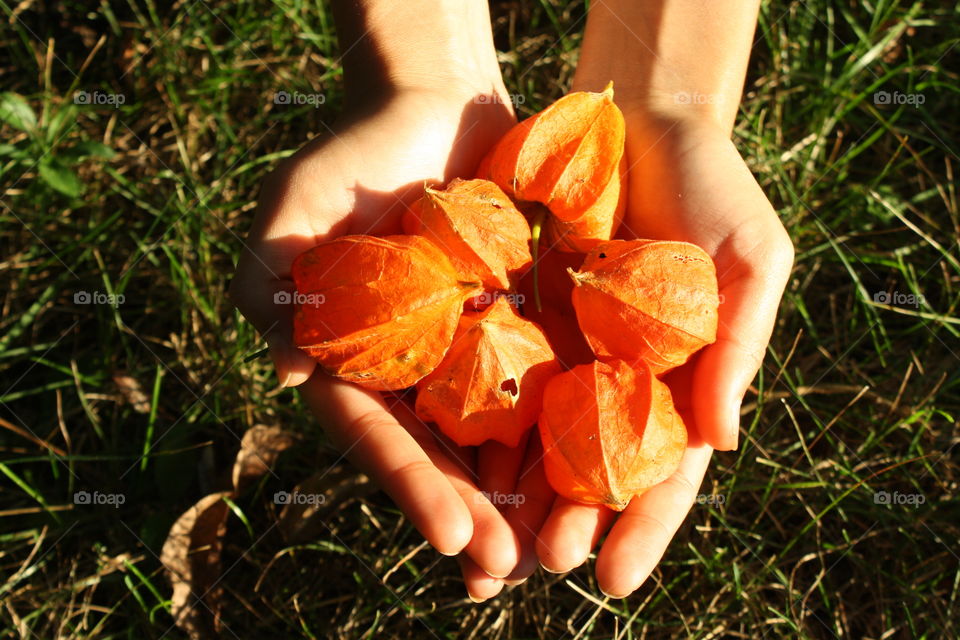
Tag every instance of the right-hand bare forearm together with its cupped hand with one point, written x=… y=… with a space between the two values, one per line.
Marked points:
x=678 y=68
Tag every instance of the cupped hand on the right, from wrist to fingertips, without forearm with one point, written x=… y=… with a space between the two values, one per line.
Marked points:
x=687 y=182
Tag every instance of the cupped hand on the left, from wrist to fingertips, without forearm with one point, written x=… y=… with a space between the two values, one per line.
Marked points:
x=356 y=179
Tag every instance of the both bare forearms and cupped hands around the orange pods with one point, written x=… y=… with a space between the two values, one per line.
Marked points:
x=425 y=101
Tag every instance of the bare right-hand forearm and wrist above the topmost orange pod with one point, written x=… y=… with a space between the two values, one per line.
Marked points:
x=670 y=60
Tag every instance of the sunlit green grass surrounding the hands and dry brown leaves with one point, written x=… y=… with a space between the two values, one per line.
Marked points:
x=149 y=200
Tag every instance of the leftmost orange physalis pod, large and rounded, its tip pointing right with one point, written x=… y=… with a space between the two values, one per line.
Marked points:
x=380 y=312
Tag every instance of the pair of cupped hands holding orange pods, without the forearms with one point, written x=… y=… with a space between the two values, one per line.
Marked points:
x=687 y=184
